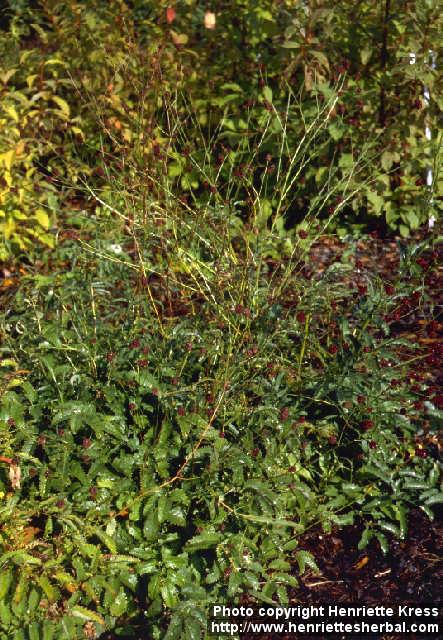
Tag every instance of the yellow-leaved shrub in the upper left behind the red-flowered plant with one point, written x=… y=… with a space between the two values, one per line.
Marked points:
x=61 y=66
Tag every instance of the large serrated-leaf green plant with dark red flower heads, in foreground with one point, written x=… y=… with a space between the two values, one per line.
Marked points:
x=186 y=395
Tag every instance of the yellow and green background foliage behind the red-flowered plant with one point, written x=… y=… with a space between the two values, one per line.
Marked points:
x=71 y=70
